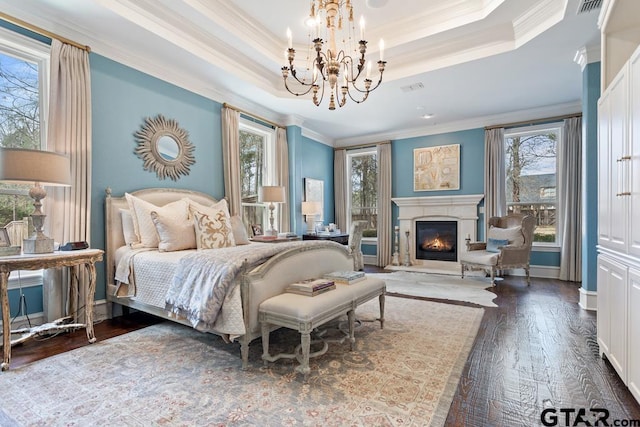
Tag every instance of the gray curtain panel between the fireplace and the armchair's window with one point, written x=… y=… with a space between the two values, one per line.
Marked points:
x=495 y=203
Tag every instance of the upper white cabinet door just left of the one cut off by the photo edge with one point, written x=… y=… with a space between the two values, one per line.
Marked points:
x=618 y=114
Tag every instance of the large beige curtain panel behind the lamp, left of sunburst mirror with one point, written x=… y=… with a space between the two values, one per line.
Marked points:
x=68 y=209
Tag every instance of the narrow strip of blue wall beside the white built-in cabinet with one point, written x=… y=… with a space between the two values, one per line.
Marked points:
x=590 y=96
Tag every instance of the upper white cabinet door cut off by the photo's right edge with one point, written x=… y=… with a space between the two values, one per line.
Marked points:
x=633 y=163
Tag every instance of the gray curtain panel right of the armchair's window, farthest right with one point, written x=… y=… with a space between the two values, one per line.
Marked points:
x=570 y=199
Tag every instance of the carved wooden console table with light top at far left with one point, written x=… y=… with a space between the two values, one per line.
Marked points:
x=73 y=259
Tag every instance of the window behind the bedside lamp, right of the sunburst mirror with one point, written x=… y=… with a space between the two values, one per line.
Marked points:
x=257 y=166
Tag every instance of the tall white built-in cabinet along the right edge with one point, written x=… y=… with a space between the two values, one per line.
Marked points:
x=619 y=223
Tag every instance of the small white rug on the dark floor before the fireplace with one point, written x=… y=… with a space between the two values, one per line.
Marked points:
x=441 y=286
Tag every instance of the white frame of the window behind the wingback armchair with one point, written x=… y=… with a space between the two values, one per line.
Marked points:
x=558 y=129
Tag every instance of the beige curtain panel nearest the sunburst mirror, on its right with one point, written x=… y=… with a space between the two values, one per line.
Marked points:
x=231 y=158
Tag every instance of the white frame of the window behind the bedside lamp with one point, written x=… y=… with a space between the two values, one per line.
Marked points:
x=269 y=171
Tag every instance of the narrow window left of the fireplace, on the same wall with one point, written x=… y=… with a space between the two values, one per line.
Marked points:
x=362 y=170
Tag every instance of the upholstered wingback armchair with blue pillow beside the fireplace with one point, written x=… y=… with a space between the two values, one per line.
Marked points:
x=508 y=245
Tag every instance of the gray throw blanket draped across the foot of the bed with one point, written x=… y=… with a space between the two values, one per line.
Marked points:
x=203 y=279
